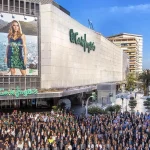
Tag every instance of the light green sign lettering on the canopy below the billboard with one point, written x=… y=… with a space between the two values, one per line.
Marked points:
x=17 y=92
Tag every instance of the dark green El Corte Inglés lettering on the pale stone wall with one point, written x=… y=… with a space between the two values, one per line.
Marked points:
x=81 y=41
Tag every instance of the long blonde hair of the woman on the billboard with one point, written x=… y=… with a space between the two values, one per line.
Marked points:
x=11 y=30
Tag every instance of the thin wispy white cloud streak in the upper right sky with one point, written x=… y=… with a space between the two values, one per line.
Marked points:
x=131 y=8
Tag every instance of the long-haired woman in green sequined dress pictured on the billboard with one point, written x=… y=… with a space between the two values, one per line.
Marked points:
x=16 y=52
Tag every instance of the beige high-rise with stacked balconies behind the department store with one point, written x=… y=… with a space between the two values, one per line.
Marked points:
x=132 y=44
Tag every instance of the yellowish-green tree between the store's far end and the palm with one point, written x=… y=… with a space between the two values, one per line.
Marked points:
x=131 y=78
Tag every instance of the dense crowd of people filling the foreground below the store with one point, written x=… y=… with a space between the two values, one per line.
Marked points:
x=64 y=131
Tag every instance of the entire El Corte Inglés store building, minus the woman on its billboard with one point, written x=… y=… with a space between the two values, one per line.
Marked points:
x=64 y=57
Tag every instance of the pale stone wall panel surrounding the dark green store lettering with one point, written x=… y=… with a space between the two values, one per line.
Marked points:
x=69 y=65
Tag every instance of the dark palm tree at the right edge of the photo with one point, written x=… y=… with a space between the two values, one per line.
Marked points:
x=145 y=78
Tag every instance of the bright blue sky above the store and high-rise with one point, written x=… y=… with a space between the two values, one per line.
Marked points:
x=110 y=17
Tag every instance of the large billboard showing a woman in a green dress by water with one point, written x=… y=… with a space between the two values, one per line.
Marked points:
x=18 y=45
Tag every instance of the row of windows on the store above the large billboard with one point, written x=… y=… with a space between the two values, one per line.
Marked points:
x=18 y=6
